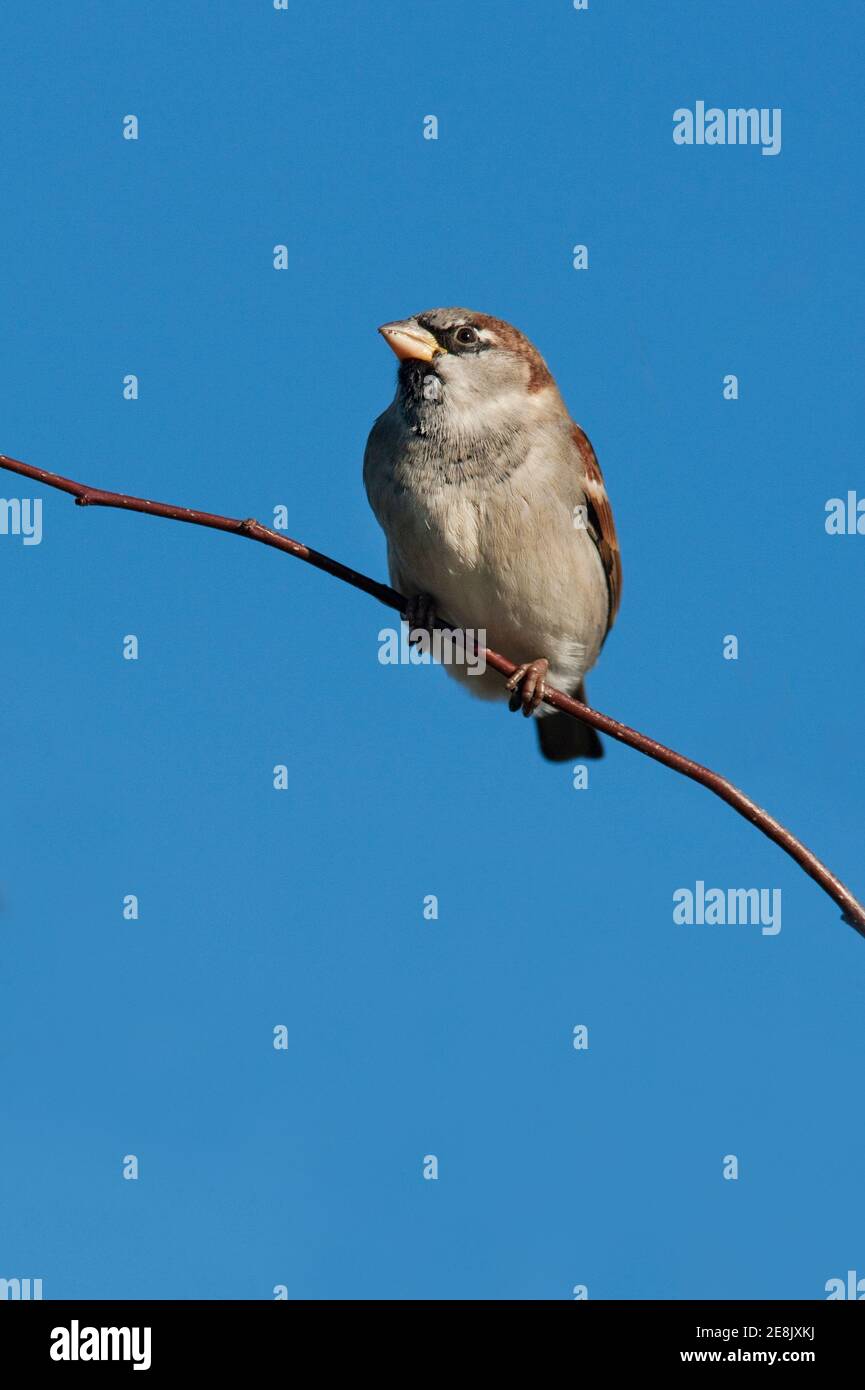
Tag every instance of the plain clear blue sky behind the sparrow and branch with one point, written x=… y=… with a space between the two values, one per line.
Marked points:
x=305 y=907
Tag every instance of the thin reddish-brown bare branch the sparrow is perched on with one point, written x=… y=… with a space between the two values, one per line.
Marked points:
x=853 y=911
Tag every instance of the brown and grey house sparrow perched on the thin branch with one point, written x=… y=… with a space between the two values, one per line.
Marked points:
x=496 y=512
